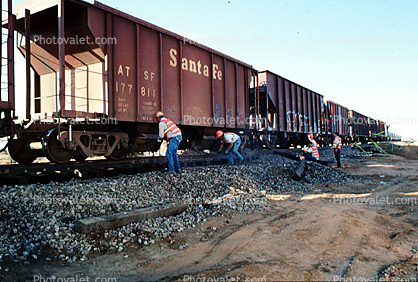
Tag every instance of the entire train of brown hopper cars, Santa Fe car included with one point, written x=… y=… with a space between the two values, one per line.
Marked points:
x=100 y=75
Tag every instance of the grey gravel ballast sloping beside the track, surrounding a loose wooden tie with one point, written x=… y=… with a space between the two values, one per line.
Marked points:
x=38 y=220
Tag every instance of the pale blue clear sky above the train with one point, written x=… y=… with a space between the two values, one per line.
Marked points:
x=361 y=54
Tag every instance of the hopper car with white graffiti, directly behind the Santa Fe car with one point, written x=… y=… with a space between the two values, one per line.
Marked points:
x=289 y=110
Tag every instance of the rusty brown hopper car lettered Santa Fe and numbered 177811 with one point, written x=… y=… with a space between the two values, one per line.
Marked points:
x=123 y=69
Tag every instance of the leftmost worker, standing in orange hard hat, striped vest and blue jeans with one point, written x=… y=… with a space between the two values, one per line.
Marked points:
x=169 y=130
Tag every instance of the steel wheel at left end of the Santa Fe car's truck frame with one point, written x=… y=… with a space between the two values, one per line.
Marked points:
x=53 y=150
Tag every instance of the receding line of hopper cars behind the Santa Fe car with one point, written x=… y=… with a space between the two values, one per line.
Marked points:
x=291 y=111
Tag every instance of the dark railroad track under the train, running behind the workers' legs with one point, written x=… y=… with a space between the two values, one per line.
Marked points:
x=16 y=174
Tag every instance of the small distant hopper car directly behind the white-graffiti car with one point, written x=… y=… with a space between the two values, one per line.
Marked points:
x=336 y=119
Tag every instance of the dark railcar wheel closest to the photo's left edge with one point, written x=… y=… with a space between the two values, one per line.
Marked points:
x=20 y=151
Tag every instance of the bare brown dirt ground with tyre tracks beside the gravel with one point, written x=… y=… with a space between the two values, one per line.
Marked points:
x=363 y=232
